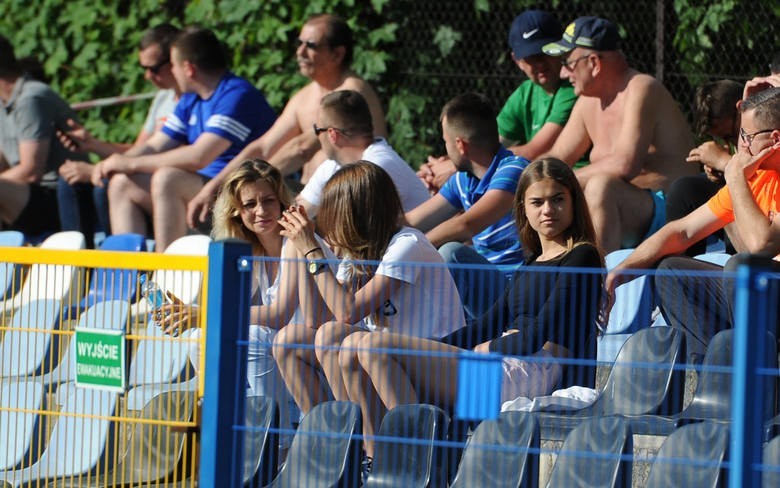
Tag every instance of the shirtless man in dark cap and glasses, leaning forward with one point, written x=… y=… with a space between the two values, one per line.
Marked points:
x=639 y=136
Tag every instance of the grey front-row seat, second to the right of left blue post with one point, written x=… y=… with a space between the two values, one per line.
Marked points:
x=324 y=451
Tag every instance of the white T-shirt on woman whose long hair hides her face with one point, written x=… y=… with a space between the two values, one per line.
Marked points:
x=427 y=304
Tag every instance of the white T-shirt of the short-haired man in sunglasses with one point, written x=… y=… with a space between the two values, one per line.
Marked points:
x=410 y=189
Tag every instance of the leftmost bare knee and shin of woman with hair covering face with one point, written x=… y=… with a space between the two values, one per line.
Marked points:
x=299 y=366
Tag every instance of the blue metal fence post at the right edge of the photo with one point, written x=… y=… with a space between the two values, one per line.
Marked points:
x=747 y=394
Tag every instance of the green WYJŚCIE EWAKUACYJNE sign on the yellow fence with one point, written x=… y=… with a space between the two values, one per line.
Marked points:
x=100 y=359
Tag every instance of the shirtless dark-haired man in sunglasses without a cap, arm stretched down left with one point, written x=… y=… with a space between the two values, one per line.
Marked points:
x=324 y=56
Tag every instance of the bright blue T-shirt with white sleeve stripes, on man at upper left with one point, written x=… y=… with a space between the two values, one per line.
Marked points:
x=236 y=111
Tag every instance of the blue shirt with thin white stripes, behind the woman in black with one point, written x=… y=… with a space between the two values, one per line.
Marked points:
x=499 y=242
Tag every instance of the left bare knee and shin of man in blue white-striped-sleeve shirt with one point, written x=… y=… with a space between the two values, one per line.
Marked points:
x=129 y=202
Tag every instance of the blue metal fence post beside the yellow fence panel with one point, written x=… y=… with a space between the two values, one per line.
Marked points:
x=221 y=449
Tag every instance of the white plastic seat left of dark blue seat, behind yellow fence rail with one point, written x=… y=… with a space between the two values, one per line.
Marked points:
x=52 y=281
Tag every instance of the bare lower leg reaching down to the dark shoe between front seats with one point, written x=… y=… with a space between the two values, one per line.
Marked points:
x=360 y=389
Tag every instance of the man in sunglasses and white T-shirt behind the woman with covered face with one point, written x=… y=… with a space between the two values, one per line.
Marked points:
x=347 y=135
